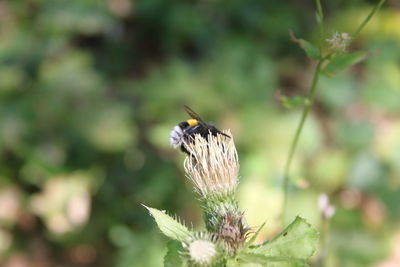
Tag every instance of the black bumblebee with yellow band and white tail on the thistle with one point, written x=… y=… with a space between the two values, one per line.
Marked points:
x=184 y=132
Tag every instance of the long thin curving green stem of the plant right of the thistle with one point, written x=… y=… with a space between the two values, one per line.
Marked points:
x=306 y=110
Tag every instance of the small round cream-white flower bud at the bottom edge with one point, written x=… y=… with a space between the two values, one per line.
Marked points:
x=202 y=251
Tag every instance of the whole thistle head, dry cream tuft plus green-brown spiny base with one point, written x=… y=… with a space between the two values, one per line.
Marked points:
x=213 y=168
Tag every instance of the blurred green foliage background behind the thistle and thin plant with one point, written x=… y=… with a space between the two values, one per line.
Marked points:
x=89 y=91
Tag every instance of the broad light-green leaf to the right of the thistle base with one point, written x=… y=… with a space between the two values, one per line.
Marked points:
x=297 y=242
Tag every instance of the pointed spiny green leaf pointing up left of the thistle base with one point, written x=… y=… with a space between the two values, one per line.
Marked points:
x=169 y=226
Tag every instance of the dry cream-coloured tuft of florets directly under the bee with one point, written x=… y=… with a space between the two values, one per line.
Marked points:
x=213 y=165
